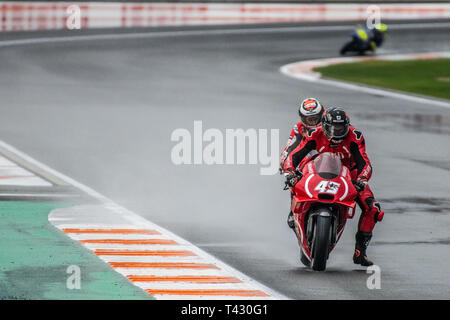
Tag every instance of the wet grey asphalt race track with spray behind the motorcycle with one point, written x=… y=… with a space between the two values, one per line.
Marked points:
x=103 y=111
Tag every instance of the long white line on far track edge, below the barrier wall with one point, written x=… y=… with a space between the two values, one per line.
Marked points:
x=181 y=33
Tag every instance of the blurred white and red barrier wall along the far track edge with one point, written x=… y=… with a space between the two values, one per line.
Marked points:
x=51 y=15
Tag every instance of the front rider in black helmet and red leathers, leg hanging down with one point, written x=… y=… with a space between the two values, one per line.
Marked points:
x=338 y=136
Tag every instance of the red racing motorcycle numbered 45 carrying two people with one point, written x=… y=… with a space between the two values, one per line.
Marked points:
x=322 y=202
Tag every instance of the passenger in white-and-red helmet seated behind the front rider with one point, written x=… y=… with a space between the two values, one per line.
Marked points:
x=310 y=112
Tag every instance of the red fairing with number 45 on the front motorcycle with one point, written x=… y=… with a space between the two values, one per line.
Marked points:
x=325 y=180
